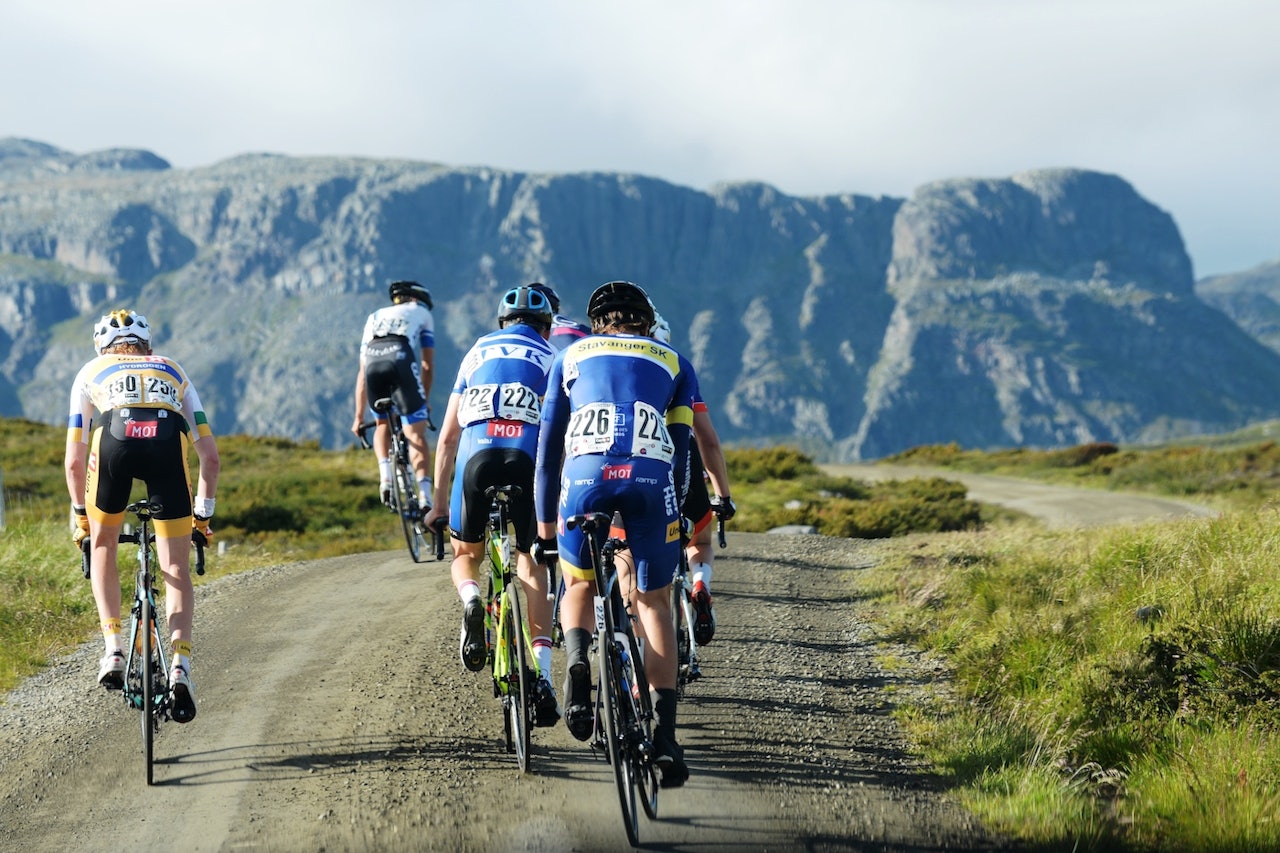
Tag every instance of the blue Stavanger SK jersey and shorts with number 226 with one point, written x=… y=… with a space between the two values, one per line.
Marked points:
x=619 y=413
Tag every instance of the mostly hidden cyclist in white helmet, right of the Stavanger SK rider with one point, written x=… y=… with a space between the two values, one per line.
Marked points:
x=706 y=463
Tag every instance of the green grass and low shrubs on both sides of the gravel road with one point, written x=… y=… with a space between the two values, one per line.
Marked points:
x=1109 y=690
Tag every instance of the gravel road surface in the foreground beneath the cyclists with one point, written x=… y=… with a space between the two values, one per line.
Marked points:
x=335 y=715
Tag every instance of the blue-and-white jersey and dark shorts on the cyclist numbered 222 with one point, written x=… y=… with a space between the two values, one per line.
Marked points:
x=500 y=386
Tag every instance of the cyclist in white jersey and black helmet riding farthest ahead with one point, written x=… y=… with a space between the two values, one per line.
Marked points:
x=397 y=355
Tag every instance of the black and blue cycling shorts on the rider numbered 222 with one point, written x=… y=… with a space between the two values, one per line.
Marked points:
x=470 y=508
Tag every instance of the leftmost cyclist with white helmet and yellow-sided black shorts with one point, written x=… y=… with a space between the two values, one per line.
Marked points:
x=149 y=414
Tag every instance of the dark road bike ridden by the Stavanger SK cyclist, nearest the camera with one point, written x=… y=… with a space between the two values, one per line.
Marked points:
x=624 y=708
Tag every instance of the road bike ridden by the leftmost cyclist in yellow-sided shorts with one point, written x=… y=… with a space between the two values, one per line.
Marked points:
x=147 y=670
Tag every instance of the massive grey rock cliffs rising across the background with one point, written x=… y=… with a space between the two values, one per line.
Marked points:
x=1046 y=309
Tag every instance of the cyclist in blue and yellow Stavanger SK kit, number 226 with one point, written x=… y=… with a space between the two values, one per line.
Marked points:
x=618 y=416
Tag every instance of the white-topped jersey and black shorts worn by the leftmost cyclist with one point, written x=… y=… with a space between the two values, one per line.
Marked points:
x=149 y=410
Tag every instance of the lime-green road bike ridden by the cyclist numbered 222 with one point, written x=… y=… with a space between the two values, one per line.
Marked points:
x=513 y=660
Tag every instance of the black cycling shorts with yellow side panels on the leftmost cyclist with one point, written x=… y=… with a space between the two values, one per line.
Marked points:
x=149 y=445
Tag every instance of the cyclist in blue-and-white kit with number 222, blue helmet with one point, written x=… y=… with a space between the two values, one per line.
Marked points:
x=490 y=439
